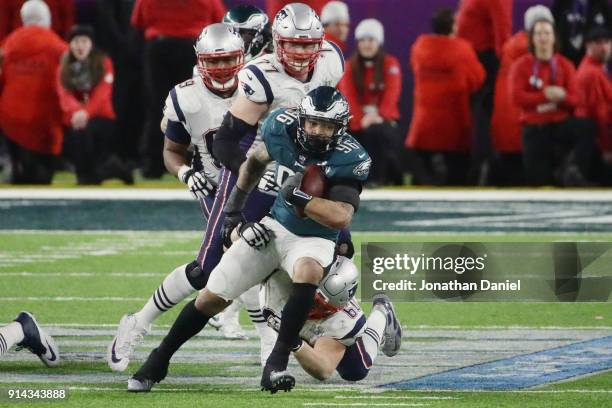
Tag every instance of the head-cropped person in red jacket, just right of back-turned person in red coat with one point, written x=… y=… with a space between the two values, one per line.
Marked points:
x=486 y=24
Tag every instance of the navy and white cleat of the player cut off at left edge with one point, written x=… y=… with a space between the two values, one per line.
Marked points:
x=37 y=340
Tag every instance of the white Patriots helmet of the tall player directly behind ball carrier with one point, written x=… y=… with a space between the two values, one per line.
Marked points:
x=297 y=23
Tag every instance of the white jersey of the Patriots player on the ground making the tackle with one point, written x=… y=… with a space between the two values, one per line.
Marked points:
x=345 y=325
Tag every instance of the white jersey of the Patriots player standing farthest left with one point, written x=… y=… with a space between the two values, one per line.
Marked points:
x=201 y=112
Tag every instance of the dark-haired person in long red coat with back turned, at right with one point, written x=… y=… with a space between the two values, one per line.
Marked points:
x=446 y=73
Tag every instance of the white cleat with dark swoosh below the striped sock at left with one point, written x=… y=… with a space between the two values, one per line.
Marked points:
x=129 y=335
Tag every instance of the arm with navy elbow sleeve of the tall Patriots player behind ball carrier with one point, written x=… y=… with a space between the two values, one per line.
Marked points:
x=241 y=119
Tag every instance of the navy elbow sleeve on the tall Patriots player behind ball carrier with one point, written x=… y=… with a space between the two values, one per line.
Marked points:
x=226 y=145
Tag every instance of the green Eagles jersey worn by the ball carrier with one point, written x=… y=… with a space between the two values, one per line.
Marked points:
x=348 y=160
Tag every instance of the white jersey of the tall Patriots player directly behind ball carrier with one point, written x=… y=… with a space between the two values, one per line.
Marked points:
x=264 y=80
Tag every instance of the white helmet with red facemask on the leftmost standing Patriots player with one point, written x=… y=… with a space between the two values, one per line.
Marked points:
x=220 y=54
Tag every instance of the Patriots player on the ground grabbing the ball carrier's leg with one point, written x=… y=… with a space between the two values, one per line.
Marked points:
x=336 y=335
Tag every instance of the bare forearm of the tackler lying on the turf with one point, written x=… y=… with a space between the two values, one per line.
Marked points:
x=322 y=360
